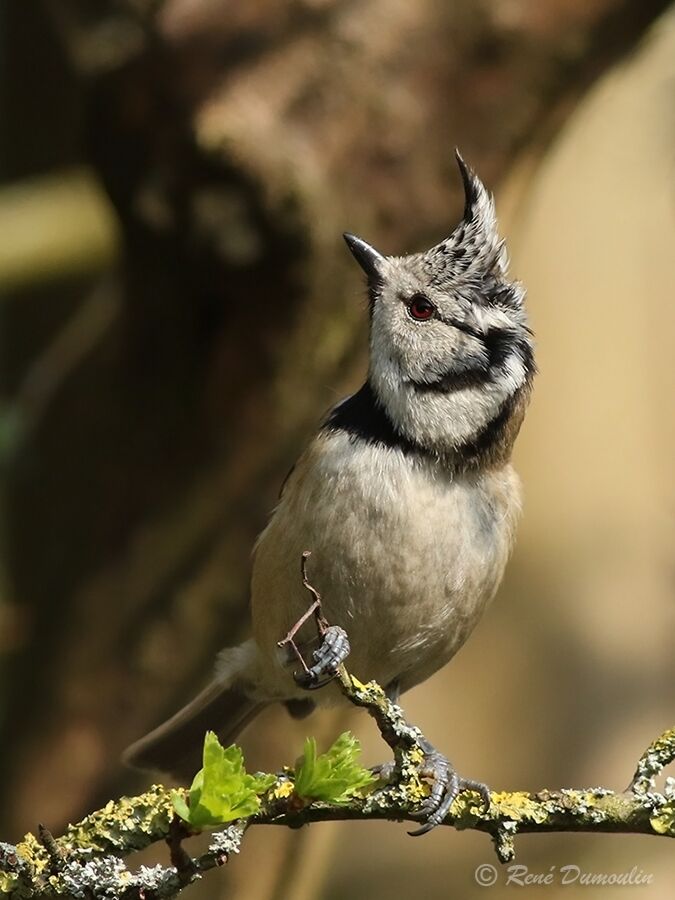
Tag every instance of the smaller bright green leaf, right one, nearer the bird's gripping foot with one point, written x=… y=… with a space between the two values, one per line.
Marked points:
x=334 y=776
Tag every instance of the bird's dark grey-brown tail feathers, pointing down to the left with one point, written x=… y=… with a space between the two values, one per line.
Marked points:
x=175 y=746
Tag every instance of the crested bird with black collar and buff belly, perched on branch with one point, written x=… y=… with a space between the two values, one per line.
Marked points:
x=406 y=496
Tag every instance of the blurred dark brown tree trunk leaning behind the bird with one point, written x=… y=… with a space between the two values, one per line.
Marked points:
x=235 y=147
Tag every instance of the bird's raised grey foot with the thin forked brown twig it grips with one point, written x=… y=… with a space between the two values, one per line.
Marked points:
x=333 y=648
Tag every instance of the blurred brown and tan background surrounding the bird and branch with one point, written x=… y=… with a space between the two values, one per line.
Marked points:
x=177 y=310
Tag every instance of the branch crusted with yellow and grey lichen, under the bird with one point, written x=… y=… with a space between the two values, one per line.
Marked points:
x=86 y=861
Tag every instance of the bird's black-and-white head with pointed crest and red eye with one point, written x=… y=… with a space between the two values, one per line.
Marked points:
x=450 y=350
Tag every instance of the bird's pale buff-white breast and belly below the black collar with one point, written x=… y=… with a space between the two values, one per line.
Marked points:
x=404 y=555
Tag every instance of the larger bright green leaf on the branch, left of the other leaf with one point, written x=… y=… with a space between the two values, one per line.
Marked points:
x=222 y=790
